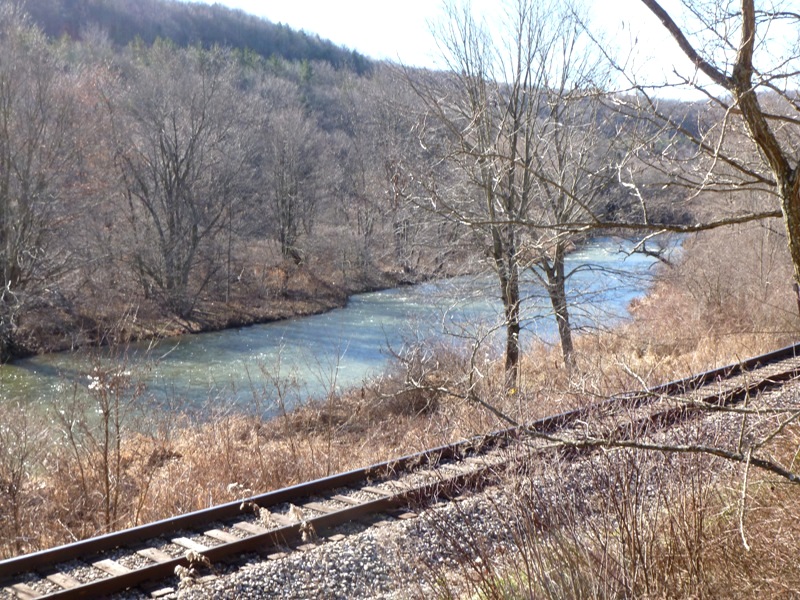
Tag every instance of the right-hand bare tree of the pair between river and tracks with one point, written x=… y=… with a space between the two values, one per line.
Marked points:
x=572 y=167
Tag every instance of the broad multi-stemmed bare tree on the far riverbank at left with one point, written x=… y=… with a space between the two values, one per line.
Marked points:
x=182 y=151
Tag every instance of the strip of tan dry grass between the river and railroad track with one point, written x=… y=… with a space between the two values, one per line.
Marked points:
x=59 y=492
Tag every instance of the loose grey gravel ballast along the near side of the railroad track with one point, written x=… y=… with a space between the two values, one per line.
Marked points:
x=392 y=559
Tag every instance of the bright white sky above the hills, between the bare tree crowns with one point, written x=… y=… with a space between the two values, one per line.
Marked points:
x=400 y=31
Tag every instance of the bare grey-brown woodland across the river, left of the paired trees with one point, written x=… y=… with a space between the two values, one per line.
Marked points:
x=176 y=180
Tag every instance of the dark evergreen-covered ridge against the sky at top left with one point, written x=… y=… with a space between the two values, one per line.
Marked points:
x=187 y=24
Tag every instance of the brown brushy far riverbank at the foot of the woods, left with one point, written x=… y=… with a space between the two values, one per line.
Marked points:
x=281 y=293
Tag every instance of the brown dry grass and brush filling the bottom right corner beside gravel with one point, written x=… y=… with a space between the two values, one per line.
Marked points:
x=627 y=524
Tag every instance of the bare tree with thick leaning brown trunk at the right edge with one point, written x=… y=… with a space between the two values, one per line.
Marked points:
x=743 y=61
